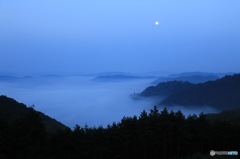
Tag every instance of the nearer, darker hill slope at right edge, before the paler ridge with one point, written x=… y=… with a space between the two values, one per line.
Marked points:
x=223 y=93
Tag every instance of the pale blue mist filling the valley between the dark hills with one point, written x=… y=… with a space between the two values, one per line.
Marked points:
x=81 y=100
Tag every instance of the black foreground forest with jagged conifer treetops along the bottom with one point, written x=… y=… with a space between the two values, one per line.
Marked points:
x=152 y=135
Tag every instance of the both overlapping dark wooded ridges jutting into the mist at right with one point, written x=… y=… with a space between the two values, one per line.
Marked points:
x=222 y=94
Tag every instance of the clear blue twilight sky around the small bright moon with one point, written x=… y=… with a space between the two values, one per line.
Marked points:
x=75 y=36
